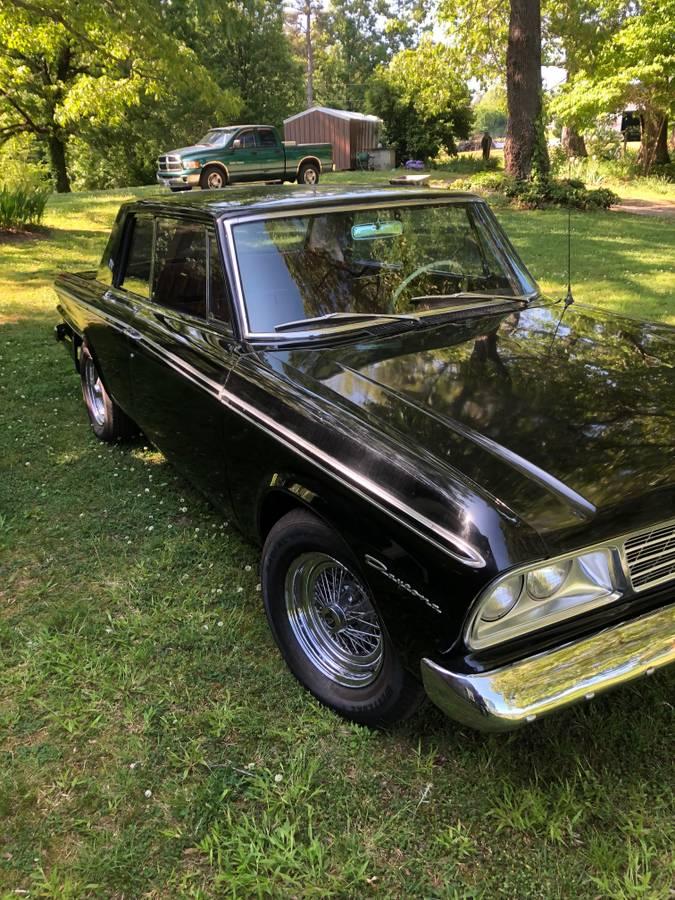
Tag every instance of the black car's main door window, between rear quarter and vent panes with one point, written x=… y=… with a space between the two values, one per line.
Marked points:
x=179 y=280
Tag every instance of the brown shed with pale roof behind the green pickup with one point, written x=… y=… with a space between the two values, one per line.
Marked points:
x=348 y=132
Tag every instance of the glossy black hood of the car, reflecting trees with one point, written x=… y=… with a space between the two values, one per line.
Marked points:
x=566 y=420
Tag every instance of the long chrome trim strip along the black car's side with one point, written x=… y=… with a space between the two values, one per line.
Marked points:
x=361 y=485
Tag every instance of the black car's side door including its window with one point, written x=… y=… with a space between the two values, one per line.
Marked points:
x=182 y=361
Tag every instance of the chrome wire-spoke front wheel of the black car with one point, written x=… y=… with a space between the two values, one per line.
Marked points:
x=333 y=620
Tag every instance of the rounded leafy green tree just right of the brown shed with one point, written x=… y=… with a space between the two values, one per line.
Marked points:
x=424 y=103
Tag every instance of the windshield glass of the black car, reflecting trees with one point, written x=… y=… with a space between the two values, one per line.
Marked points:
x=393 y=260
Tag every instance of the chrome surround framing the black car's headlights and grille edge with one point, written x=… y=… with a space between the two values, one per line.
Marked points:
x=615 y=544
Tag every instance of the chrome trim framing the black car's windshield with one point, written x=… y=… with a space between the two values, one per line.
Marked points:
x=227 y=224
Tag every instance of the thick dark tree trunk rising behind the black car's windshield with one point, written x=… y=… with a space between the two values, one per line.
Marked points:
x=525 y=146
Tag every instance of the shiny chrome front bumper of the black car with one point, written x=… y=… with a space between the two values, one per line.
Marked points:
x=508 y=697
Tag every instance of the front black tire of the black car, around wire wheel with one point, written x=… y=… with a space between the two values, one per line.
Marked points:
x=386 y=693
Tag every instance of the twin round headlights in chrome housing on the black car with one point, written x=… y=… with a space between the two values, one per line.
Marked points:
x=527 y=600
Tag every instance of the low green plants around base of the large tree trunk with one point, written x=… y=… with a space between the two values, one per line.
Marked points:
x=540 y=193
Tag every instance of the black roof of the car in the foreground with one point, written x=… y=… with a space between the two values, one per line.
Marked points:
x=236 y=202
